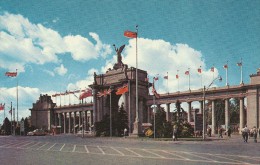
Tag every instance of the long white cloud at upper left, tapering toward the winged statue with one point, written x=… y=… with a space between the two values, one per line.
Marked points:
x=23 y=42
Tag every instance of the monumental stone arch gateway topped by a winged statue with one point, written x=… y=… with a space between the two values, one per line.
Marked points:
x=117 y=77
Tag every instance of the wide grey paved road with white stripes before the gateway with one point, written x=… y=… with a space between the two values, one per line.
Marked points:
x=69 y=149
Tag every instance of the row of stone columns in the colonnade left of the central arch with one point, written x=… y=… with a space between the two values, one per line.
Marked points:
x=71 y=122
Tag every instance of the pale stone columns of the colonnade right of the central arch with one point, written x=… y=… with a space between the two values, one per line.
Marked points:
x=213 y=107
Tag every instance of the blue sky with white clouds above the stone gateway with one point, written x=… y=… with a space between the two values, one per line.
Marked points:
x=58 y=45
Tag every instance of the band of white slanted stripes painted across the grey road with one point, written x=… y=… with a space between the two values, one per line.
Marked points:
x=130 y=152
